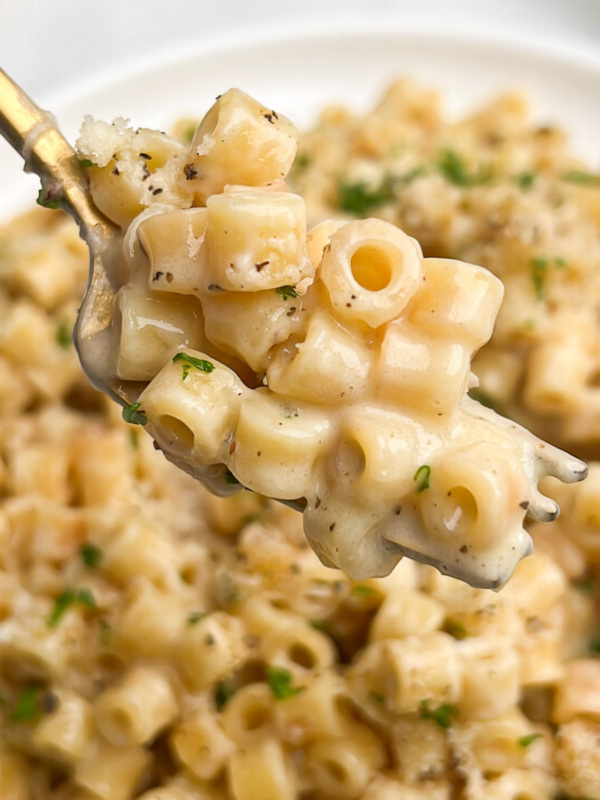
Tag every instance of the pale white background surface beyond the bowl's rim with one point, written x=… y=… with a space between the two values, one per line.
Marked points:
x=46 y=45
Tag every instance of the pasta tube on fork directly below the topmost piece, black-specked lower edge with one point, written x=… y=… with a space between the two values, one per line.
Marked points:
x=256 y=241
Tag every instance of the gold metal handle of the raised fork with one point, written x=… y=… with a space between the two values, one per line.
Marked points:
x=34 y=134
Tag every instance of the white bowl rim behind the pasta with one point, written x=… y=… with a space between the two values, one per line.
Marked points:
x=298 y=74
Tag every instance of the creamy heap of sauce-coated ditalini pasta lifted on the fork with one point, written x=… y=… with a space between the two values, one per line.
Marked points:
x=327 y=369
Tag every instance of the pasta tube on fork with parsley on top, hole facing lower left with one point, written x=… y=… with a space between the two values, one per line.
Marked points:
x=191 y=410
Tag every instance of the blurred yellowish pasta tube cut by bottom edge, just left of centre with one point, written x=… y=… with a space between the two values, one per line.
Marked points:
x=261 y=770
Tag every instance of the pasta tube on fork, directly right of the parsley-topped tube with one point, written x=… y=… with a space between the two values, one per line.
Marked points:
x=277 y=443
